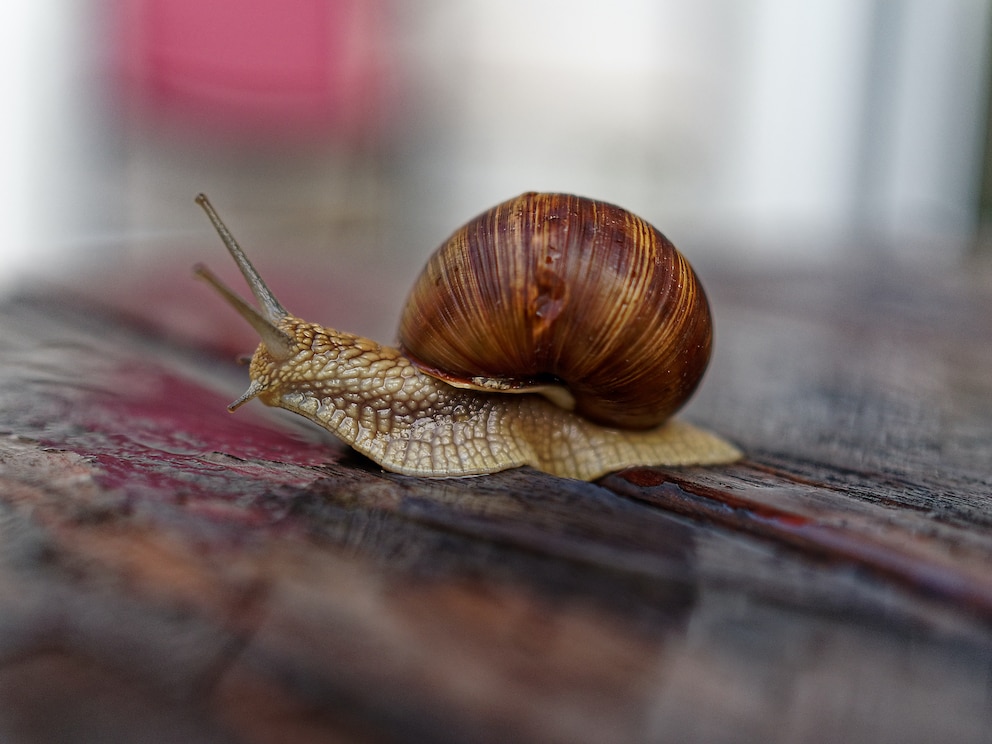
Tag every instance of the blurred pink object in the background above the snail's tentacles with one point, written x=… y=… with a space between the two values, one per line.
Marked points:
x=268 y=69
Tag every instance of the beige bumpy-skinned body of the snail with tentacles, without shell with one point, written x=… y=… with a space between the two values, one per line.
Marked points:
x=374 y=398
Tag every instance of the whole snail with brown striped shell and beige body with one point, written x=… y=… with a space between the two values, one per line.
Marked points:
x=552 y=331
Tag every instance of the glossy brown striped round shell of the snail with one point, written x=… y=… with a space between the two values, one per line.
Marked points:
x=550 y=288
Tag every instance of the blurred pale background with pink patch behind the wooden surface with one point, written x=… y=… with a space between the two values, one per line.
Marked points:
x=342 y=133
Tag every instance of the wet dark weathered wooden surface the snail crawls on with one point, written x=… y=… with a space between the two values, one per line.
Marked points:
x=172 y=572
